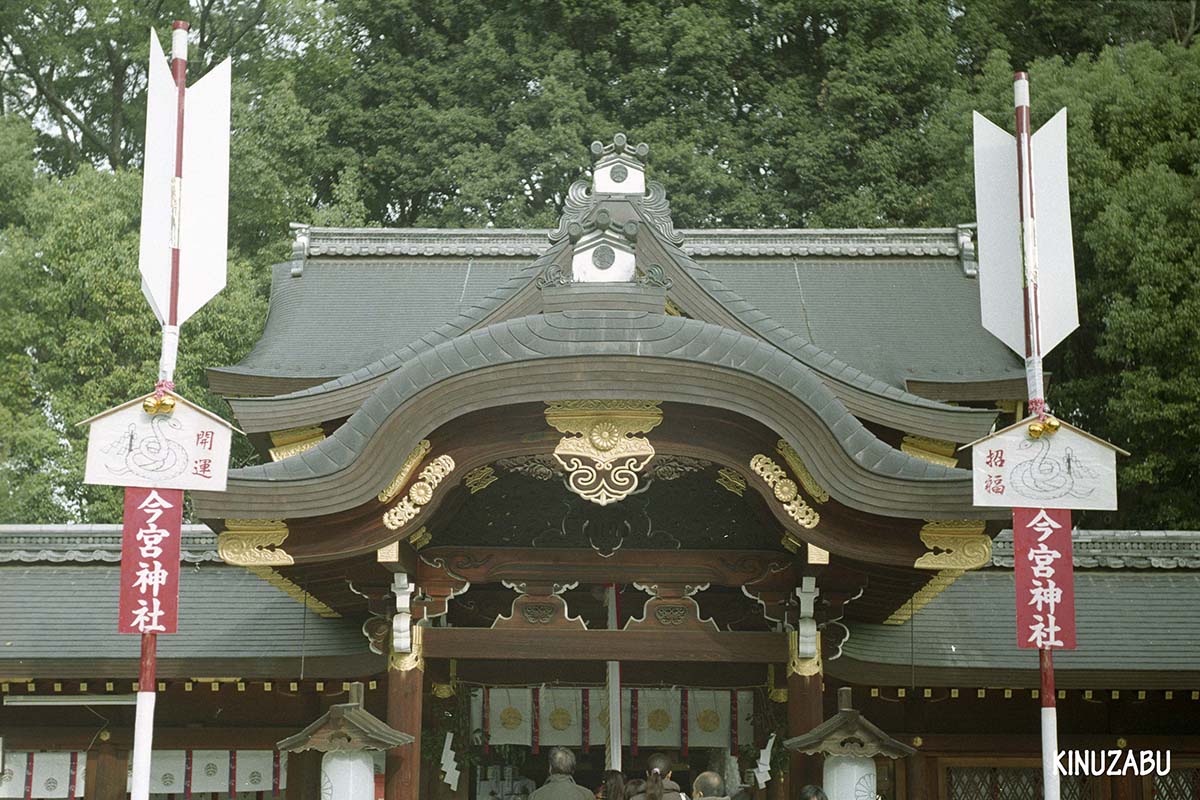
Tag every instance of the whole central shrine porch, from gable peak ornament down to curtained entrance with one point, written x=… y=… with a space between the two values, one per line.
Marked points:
x=613 y=483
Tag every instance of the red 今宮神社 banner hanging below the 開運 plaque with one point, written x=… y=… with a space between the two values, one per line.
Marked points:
x=151 y=561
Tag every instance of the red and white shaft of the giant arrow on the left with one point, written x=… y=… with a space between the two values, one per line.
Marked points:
x=143 y=726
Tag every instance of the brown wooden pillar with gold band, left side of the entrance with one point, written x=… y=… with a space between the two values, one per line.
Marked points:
x=406 y=685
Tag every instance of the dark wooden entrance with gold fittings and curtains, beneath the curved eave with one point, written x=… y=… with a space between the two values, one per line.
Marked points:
x=523 y=615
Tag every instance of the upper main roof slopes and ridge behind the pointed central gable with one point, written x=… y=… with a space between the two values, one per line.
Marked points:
x=364 y=293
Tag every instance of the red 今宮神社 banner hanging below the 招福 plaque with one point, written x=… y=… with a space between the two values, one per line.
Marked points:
x=1046 y=580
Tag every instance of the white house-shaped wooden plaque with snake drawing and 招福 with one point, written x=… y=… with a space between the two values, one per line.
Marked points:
x=1069 y=470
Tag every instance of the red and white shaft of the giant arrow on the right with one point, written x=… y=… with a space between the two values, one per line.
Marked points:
x=1036 y=386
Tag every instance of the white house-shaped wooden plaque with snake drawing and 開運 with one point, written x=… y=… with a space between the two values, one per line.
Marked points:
x=188 y=449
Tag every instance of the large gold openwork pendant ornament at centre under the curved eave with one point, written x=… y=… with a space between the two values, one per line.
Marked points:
x=602 y=453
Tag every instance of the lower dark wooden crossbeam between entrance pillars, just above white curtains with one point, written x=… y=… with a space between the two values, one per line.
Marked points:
x=735 y=647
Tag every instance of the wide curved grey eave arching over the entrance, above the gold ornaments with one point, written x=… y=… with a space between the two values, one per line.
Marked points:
x=615 y=354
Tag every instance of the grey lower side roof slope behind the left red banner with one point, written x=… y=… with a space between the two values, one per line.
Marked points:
x=62 y=621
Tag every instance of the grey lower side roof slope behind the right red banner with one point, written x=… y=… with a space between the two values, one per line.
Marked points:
x=1127 y=623
